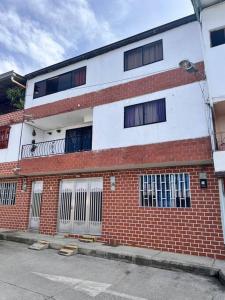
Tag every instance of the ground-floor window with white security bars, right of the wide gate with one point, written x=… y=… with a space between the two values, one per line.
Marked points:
x=165 y=190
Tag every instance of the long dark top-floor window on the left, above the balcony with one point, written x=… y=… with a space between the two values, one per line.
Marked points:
x=60 y=83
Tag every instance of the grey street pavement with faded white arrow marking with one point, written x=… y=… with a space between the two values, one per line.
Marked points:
x=38 y=275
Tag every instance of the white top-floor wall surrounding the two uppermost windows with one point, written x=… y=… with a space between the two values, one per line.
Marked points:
x=107 y=69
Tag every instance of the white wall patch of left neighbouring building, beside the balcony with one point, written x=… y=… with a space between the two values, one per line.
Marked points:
x=11 y=153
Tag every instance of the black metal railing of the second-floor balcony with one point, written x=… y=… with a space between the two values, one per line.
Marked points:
x=44 y=148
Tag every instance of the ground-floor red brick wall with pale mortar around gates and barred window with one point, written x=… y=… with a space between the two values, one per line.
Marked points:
x=196 y=230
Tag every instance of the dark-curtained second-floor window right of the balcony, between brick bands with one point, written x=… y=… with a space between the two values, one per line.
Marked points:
x=145 y=113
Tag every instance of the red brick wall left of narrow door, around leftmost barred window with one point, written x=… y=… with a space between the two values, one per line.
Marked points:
x=16 y=216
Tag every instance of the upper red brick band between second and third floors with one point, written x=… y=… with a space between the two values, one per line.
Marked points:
x=149 y=84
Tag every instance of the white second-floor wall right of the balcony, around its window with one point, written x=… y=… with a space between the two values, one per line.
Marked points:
x=185 y=114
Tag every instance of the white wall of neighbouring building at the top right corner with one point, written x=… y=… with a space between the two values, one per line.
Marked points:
x=214 y=18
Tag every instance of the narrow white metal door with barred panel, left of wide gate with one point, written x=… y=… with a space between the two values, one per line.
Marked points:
x=35 y=208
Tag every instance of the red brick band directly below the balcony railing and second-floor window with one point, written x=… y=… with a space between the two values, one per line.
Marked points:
x=168 y=152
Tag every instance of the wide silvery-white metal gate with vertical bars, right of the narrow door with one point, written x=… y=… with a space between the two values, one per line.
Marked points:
x=80 y=209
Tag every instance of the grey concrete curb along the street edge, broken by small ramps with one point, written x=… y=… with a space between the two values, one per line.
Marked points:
x=136 y=259
